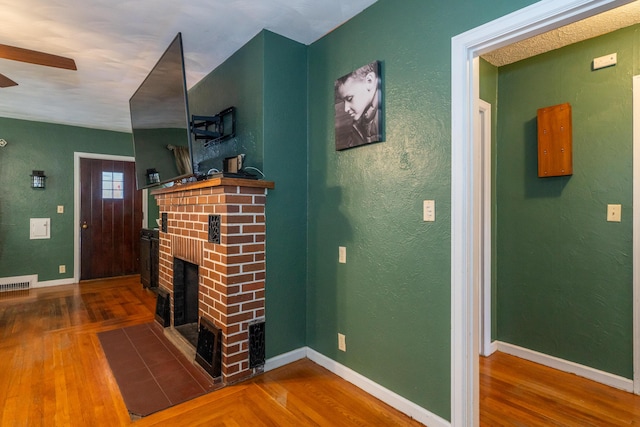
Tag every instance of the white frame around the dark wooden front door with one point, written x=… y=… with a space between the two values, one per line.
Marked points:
x=76 y=202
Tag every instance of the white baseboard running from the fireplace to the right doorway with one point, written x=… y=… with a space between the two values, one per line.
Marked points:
x=389 y=397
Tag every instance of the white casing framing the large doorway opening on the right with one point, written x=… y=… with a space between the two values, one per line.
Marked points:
x=532 y=20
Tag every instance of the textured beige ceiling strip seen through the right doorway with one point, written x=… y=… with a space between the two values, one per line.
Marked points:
x=598 y=25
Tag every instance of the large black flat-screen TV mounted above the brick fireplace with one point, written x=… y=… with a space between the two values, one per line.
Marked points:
x=160 y=122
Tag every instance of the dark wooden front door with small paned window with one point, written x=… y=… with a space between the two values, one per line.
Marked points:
x=110 y=219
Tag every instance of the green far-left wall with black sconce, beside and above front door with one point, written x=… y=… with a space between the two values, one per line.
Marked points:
x=48 y=147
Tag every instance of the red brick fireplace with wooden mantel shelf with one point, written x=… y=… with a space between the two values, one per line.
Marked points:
x=219 y=225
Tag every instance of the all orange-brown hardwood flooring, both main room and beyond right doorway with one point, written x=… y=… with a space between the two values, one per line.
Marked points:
x=53 y=372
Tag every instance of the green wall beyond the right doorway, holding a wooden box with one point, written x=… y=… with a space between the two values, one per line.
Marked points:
x=564 y=272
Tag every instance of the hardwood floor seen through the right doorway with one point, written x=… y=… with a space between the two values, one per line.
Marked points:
x=516 y=392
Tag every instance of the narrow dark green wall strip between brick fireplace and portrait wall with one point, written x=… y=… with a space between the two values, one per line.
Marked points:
x=285 y=163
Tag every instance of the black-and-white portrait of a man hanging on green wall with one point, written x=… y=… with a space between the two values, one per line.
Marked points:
x=358 y=107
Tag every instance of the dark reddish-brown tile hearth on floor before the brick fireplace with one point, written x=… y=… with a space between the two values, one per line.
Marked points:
x=151 y=373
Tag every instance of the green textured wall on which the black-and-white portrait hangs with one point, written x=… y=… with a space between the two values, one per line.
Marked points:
x=392 y=297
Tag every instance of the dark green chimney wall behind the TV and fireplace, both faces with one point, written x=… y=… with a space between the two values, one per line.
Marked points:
x=266 y=81
